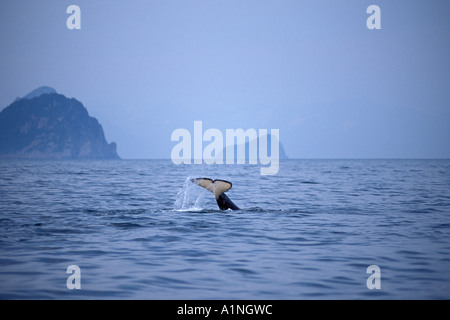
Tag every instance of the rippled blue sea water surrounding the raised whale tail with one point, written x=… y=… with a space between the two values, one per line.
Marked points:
x=138 y=229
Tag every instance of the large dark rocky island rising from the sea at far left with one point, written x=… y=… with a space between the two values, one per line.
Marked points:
x=48 y=125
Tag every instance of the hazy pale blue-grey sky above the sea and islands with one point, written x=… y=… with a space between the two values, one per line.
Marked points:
x=311 y=69
